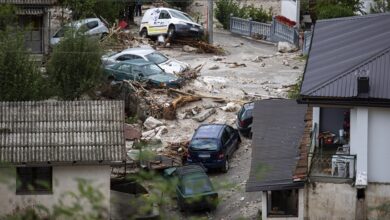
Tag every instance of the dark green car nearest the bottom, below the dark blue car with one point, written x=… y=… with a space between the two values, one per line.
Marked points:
x=194 y=189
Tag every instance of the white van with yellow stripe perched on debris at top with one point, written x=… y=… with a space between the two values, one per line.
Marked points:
x=169 y=22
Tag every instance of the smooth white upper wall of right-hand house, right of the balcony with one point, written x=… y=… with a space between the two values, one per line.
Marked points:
x=369 y=141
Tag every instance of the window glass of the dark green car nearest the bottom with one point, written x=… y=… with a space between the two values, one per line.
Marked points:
x=195 y=184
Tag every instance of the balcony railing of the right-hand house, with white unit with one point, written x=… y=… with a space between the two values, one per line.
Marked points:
x=332 y=165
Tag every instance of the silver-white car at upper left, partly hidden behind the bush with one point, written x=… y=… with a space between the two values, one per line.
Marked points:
x=93 y=27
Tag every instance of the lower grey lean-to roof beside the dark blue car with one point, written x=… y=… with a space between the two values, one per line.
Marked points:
x=278 y=126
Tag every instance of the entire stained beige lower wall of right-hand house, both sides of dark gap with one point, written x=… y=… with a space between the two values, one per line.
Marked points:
x=338 y=201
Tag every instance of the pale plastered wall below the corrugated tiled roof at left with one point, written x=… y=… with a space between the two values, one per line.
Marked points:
x=64 y=180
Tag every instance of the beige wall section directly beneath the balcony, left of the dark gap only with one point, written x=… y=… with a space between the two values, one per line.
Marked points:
x=330 y=201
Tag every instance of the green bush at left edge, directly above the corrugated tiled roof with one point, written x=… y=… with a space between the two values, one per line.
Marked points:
x=20 y=78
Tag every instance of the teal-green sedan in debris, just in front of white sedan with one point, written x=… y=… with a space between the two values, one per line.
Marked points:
x=141 y=70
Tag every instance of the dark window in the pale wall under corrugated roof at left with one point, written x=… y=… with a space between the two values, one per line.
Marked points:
x=34 y=180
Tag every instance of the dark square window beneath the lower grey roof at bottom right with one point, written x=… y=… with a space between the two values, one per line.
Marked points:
x=283 y=203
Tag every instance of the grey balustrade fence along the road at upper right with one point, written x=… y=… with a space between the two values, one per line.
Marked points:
x=274 y=32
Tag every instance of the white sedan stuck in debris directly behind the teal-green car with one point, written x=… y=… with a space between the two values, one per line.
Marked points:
x=168 y=65
